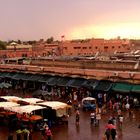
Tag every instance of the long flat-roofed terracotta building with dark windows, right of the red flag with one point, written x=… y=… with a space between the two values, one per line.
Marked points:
x=91 y=46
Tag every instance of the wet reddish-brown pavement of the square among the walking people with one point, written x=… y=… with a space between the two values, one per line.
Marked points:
x=86 y=131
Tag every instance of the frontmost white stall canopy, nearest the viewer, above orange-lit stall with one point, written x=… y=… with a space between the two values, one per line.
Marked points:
x=26 y=108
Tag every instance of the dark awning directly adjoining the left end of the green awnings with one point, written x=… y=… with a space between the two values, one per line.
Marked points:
x=104 y=86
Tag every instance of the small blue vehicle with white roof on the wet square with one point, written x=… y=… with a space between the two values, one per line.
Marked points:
x=89 y=103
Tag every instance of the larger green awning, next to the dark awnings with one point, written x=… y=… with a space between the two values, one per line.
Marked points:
x=122 y=87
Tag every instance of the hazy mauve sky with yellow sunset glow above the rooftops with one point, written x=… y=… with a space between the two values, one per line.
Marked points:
x=75 y=19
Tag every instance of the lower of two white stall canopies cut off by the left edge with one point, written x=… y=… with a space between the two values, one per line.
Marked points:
x=8 y=105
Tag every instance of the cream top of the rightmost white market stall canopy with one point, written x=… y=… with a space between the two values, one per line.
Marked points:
x=53 y=104
